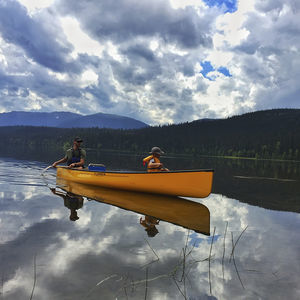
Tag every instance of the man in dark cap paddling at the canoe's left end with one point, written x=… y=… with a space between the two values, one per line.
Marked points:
x=74 y=157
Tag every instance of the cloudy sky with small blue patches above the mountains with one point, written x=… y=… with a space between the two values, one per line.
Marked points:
x=158 y=61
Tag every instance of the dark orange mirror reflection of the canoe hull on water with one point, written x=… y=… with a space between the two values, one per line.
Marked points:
x=183 y=212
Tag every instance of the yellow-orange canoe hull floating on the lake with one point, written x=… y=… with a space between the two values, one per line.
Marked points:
x=195 y=183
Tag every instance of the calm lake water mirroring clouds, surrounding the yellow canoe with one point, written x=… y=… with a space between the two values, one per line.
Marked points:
x=251 y=249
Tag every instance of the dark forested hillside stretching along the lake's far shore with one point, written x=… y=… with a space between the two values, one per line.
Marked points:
x=262 y=134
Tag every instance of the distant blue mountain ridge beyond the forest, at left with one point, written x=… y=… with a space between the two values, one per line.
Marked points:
x=69 y=120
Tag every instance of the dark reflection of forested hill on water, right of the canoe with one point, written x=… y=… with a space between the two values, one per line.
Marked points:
x=272 y=185
